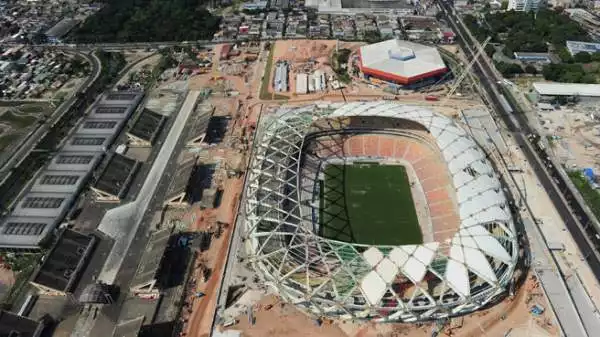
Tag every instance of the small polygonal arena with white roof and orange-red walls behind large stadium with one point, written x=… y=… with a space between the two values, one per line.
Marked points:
x=401 y=61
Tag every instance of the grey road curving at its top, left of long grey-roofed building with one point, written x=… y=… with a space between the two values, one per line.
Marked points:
x=33 y=138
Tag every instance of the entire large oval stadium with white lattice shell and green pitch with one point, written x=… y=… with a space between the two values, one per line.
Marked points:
x=376 y=211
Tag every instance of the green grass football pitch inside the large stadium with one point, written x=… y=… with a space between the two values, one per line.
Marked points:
x=368 y=203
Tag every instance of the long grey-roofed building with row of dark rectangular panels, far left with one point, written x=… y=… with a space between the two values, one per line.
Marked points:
x=35 y=216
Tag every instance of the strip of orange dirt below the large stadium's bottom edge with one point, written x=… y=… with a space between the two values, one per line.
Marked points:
x=511 y=315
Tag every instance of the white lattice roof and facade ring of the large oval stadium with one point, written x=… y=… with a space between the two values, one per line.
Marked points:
x=349 y=280
